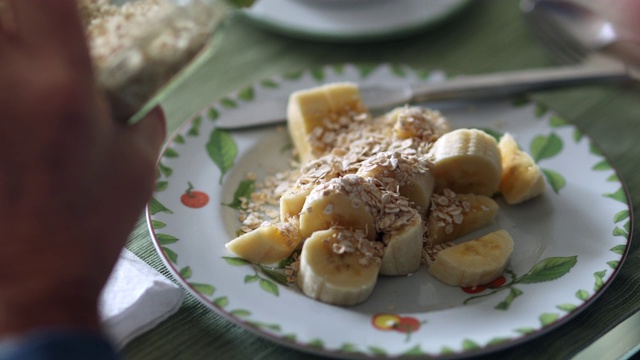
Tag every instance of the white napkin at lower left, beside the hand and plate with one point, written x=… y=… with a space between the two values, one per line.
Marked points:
x=135 y=299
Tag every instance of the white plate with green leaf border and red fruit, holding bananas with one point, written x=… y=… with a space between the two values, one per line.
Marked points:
x=569 y=242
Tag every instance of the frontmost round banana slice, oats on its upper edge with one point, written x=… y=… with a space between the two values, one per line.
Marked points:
x=334 y=268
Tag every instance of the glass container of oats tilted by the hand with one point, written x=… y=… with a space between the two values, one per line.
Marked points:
x=141 y=48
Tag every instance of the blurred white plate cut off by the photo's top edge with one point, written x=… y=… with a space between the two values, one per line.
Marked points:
x=340 y=20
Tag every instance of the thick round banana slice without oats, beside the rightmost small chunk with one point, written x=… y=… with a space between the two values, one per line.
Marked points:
x=466 y=161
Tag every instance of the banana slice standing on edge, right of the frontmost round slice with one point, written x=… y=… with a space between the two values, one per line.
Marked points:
x=403 y=250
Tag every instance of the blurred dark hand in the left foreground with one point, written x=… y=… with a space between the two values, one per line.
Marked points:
x=73 y=180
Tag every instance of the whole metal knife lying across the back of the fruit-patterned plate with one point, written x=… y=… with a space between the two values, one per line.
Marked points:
x=382 y=97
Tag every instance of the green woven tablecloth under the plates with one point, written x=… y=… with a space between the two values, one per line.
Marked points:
x=487 y=36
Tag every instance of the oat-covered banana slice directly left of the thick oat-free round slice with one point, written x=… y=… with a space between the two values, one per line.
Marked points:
x=401 y=171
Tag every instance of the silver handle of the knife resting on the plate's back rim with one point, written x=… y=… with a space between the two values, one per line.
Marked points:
x=517 y=82
